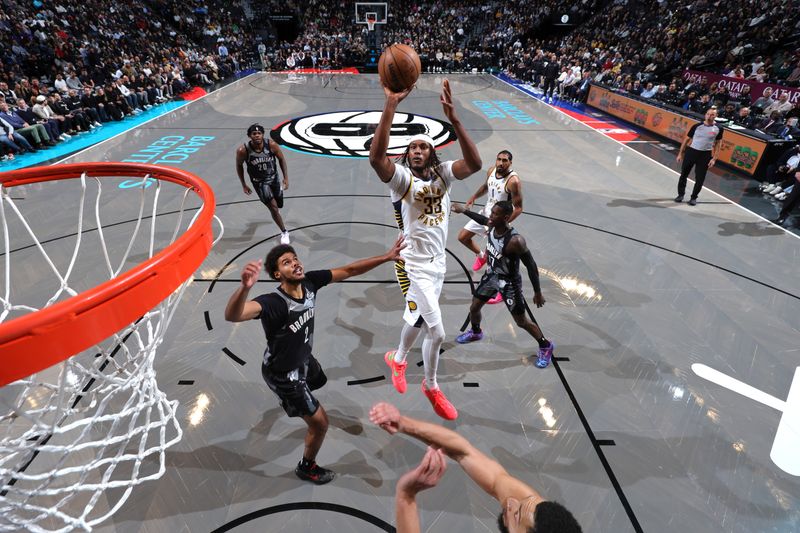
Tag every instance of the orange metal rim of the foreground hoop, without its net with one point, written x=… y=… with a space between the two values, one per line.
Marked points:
x=41 y=339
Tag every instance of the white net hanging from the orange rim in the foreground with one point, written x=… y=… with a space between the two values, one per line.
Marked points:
x=77 y=437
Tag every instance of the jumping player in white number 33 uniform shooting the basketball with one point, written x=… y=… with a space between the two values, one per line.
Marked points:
x=420 y=192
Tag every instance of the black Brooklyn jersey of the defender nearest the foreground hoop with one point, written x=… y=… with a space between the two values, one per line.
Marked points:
x=289 y=323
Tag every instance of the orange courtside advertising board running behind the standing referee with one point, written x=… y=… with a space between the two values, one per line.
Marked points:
x=738 y=150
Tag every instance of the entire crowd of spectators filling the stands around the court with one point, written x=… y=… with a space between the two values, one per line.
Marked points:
x=96 y=61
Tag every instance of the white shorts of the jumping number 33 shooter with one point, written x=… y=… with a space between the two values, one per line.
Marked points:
x=422 y=294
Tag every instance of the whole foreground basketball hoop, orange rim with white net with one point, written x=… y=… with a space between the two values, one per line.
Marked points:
x=79 y=396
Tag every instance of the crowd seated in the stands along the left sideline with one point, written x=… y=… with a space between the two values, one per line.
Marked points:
x=67 y=67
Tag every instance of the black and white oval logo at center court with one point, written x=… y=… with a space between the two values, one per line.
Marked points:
x=349 y=133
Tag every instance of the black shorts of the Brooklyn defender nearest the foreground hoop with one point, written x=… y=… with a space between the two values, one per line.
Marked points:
x=294 y=388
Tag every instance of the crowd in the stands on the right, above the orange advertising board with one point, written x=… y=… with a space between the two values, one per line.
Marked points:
x=642 y=47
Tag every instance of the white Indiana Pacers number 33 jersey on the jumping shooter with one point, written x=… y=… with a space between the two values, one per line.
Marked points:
x=422 y=211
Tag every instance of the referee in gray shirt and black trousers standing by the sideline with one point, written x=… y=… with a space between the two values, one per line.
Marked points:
x=699 y=149
